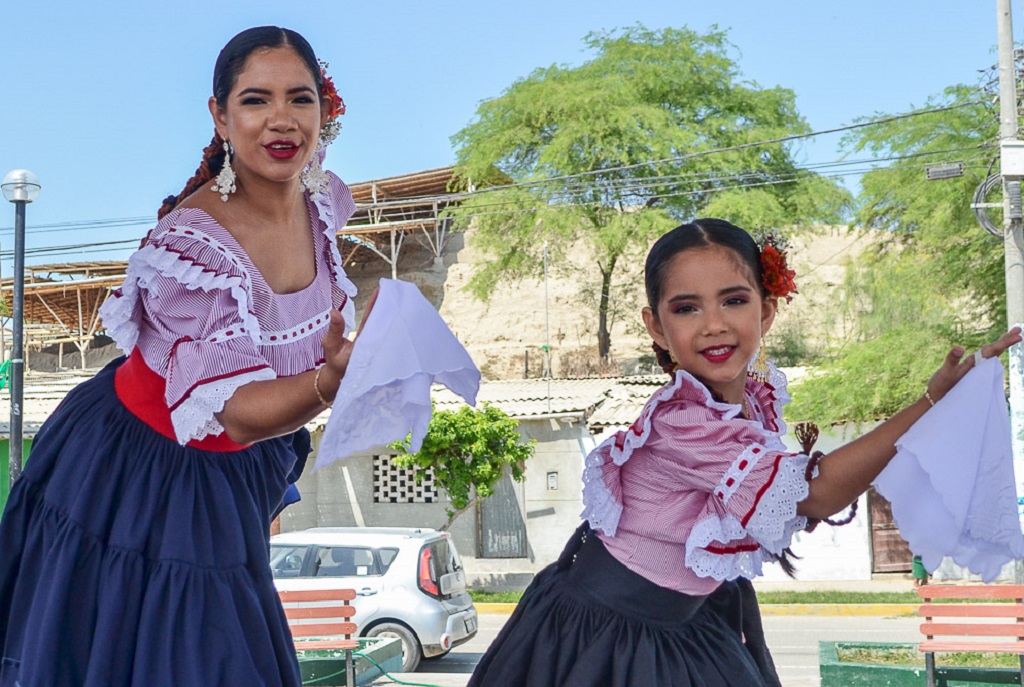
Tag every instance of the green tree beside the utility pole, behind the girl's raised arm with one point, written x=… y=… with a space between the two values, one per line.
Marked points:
x=935 y=279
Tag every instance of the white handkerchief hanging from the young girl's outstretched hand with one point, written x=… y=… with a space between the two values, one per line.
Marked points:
x=952 y=483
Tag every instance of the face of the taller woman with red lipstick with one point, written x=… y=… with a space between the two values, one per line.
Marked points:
x=273 y=117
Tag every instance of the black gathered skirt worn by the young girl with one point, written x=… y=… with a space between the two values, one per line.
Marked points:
x=587 y=621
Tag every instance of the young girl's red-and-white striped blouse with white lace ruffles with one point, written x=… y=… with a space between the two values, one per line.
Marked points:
x=693 y=494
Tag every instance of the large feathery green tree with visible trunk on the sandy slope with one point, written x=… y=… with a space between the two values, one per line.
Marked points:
x=601 y=159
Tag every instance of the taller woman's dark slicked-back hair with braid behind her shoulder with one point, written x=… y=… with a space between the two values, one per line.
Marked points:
x=231 y=62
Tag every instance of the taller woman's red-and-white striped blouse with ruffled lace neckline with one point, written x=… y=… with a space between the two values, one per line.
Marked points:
x=200 y=315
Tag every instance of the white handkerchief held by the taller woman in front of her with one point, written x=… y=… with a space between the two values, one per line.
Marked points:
x=405 y=348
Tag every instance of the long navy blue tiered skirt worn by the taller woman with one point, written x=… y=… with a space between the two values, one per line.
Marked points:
x=127 y=560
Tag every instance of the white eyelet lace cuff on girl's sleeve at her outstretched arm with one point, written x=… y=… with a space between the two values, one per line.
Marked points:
x=772 y=527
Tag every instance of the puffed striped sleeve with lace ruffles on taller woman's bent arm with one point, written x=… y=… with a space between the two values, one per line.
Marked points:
x=187 y=304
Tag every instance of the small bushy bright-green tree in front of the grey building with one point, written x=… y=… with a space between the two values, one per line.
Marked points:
x=468 y=450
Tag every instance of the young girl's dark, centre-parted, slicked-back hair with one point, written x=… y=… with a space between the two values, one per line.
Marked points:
x=699 y=234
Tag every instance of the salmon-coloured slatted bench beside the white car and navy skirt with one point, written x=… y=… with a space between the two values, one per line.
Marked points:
x=321 y=620
